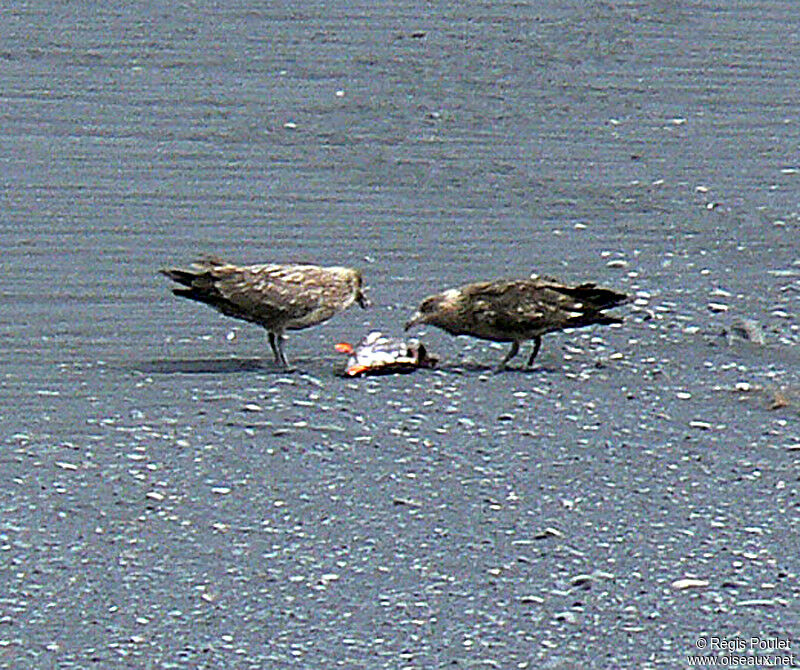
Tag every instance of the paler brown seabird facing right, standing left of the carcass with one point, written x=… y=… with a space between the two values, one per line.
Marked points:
x=276 y=297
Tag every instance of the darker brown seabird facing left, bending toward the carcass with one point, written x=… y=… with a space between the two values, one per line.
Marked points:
x=516 y=310
